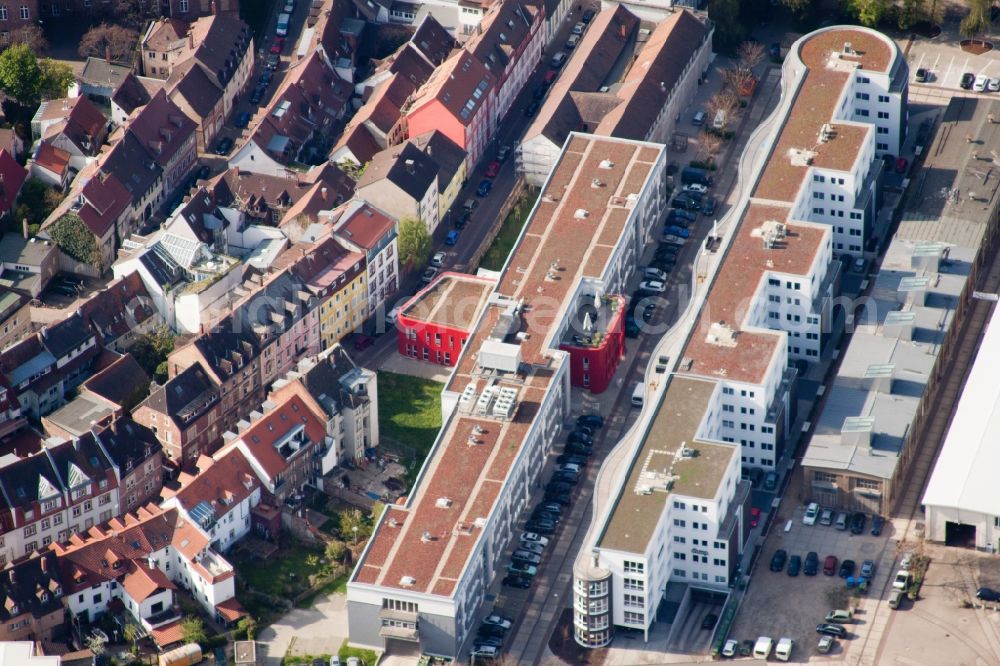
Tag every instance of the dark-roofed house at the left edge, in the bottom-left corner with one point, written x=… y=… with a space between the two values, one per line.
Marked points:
x=31 y=600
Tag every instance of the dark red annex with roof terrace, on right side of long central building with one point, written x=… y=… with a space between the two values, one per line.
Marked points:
x=594 y=352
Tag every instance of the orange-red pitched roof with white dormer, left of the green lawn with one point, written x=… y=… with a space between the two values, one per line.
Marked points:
x=268 y=439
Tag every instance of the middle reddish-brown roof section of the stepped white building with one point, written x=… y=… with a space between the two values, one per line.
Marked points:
x=732 y=291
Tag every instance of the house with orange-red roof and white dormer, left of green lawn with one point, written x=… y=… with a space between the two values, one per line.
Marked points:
x=285 y=443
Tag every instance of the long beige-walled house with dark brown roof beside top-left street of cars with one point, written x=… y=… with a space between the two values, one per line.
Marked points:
x=212 y=73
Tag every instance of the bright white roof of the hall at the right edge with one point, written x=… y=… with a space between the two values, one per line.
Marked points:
x=964 y=475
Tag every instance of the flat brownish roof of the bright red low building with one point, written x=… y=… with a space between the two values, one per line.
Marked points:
x=454 y=300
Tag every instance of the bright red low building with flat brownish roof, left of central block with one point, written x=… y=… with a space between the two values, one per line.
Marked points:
x=434 y=325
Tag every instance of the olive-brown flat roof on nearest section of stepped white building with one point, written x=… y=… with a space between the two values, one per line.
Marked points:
x=675 y=427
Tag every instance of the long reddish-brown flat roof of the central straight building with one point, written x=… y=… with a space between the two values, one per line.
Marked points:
x=425 y=545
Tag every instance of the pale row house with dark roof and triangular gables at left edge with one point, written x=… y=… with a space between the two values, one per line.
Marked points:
x=66 y=488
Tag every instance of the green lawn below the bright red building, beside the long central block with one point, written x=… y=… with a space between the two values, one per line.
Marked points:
x=409 y=410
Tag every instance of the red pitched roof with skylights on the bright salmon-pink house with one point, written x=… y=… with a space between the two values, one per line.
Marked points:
x=461 y=85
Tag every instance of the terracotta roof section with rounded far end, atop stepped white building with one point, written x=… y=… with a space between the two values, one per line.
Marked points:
x=815 y=104
